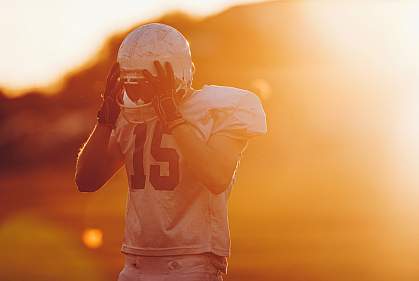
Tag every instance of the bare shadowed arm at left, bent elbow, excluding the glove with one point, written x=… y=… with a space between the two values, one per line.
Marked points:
x=98 y=160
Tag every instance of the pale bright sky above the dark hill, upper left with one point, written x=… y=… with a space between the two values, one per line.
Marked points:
x=42 y=40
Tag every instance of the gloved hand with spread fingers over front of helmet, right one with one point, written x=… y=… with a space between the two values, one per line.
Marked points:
x=165 y=98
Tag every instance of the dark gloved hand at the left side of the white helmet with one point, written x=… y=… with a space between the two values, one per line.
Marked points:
x=109 y=111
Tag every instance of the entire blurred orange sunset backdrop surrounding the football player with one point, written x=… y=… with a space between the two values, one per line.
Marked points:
x=332 y=191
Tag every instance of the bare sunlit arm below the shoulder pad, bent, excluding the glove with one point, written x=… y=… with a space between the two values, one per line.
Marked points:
x=212 y=162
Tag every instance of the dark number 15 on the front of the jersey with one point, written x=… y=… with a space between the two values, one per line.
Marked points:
x=161 y=154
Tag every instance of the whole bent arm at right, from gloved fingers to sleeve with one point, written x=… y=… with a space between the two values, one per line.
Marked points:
x=214 y=161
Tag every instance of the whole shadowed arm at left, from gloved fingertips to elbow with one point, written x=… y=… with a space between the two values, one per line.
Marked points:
x=100 y=157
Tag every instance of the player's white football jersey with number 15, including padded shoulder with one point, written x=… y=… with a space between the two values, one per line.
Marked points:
x=169 y=212
